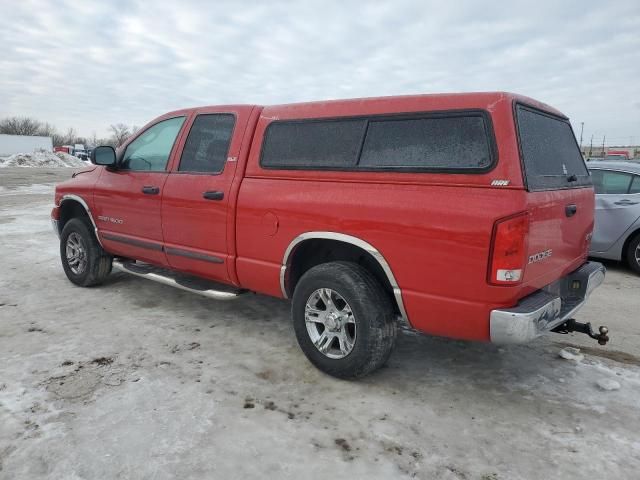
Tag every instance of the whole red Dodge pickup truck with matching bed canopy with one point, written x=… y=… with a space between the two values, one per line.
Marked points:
x=460 y=215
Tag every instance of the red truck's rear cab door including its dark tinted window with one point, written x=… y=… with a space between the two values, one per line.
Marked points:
x=196 y=207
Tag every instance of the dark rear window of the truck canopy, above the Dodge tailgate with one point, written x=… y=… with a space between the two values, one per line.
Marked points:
x=550 y=153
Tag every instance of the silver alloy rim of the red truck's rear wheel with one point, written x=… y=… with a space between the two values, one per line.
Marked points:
x=330 y=323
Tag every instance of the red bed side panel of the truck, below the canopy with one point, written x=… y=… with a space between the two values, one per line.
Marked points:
x=435 y=238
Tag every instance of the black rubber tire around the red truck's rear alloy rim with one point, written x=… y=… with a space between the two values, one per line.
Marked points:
x=372 y=310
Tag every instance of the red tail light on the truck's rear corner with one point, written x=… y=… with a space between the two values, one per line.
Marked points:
x=509 y=250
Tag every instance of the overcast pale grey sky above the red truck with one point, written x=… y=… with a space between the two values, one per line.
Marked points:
x=84 y=65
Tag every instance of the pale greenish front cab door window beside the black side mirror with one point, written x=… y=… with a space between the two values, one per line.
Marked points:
x=150 y=151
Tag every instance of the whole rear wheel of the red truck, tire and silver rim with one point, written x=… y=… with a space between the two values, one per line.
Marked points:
x=343 y=319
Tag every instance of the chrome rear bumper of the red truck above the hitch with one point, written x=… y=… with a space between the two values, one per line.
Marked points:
x=545 y=309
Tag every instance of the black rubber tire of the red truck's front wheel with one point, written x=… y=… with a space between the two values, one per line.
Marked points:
x=97 y=261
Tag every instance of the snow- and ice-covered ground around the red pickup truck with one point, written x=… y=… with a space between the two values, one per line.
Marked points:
x=138 y=380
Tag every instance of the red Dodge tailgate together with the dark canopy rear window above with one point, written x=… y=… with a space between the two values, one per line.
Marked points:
x=560 y=196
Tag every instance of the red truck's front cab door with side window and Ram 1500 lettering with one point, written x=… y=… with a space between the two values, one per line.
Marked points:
x=127 y=199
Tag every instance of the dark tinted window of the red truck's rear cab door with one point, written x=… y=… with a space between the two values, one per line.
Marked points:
x=207 y=145
